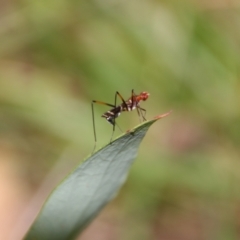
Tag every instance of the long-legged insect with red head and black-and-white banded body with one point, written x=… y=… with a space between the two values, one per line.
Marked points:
x=126 y=106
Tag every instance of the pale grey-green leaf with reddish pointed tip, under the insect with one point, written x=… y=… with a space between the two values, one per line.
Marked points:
x=79 y=198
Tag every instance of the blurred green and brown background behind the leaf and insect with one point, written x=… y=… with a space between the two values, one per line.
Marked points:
x=57 y=56
